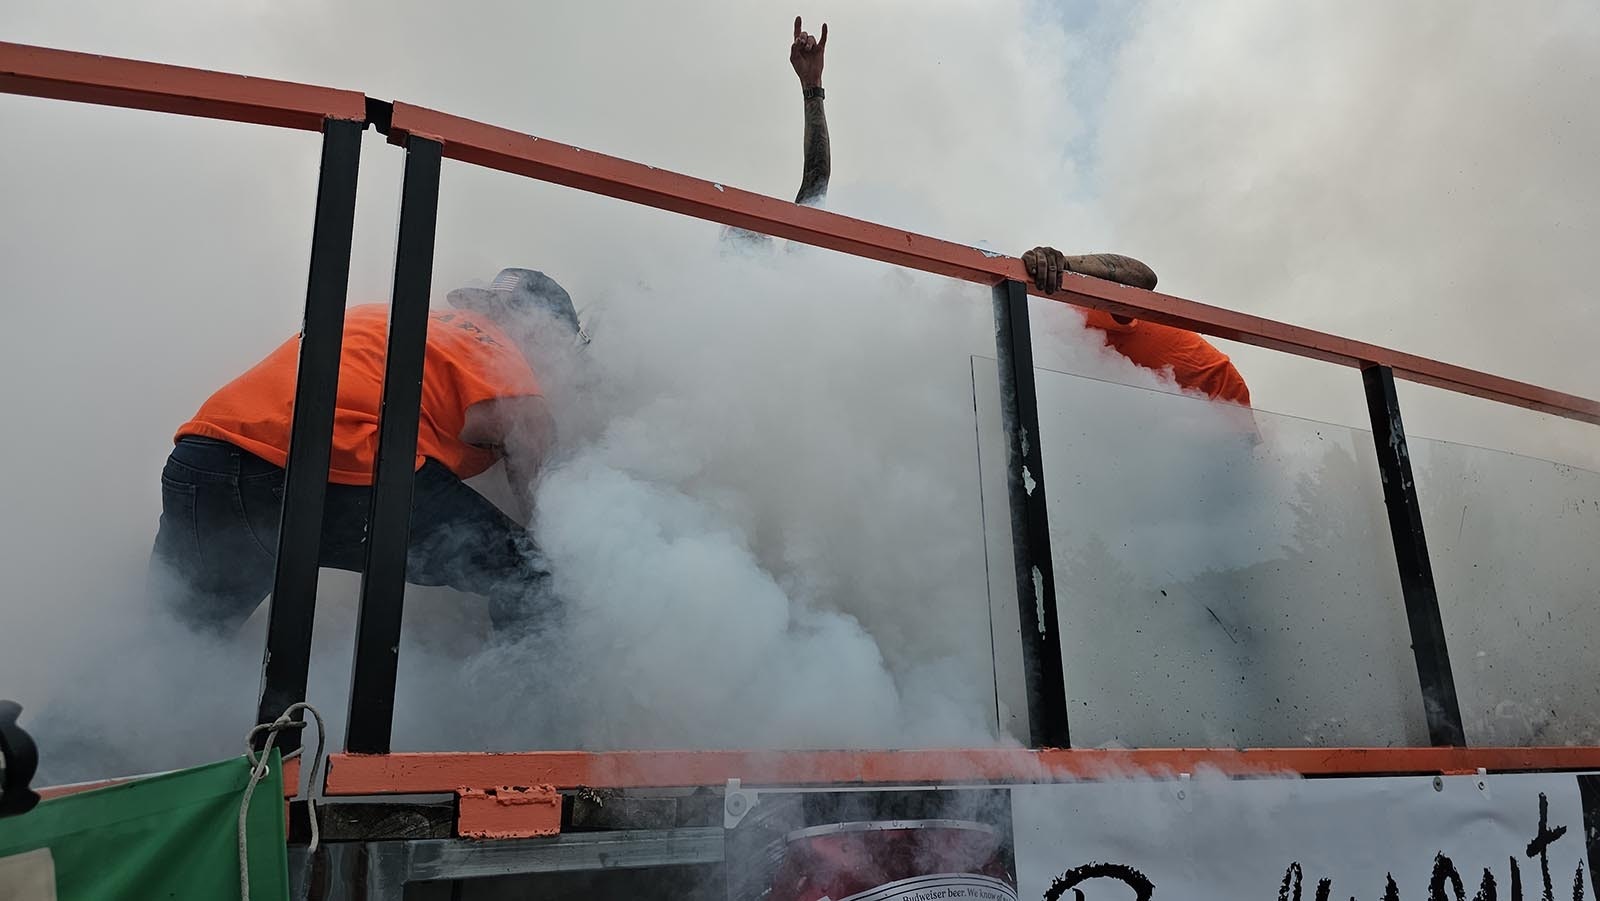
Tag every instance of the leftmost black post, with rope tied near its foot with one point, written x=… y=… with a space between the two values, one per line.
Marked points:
x=294 y=606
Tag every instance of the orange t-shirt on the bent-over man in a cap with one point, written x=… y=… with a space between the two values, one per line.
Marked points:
x=468 y=361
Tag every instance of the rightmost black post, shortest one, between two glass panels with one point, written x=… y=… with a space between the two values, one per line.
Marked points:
x=1417 y=574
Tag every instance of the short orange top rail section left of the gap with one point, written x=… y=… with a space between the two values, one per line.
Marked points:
x=111 y=81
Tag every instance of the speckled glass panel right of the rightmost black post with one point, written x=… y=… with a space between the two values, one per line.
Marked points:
x=1514 y=548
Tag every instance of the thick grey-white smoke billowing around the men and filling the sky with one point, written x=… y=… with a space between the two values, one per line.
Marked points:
x=766 y=505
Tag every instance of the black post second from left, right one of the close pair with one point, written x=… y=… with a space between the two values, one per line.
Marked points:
x=390 y=518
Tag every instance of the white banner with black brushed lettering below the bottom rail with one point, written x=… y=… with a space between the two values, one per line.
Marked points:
x=1516 y=838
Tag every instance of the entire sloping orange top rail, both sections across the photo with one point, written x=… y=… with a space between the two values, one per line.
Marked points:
x=134 y=84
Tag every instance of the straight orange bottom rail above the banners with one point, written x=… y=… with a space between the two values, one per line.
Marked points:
x=455 y=772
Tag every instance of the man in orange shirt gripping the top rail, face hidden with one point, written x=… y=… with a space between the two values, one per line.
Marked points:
x=1196 y=364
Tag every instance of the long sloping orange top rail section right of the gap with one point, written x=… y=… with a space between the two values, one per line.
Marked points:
x=574 y=167
